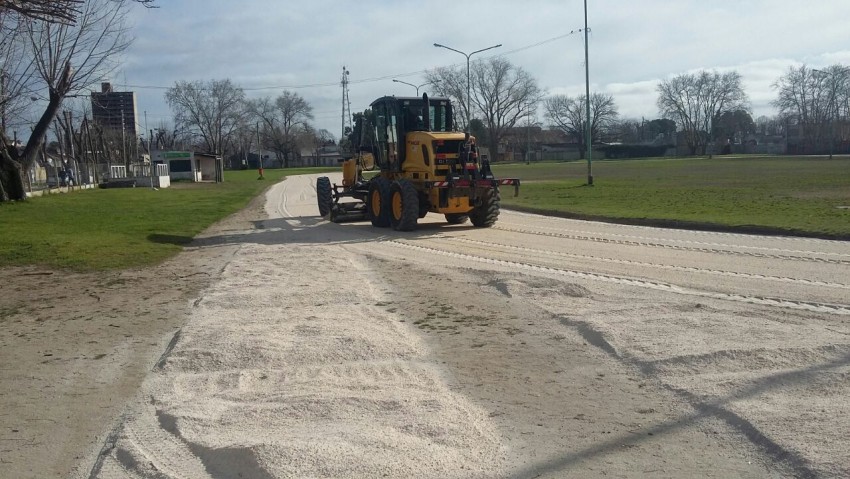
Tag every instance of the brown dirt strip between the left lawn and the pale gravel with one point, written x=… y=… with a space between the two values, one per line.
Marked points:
x=74 y=348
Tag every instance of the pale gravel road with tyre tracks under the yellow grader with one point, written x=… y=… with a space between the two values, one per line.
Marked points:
x=541 y=347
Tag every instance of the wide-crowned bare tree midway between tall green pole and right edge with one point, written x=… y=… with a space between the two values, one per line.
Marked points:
x=695 y=101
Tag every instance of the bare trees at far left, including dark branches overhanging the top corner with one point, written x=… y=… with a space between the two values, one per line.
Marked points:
x=51 y=50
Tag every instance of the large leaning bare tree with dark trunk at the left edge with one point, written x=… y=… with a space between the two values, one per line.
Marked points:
x=65 y=58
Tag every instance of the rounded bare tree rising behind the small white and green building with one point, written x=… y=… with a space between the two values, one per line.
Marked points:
x=212 y=111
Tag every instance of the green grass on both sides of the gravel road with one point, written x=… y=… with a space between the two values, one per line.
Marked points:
x=118 y=228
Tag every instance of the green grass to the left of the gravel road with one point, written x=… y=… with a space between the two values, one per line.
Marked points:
x=123 y=227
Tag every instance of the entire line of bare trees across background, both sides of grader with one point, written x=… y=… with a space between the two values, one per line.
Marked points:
x=54 y=50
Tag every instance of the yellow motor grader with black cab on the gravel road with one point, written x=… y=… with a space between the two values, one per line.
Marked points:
x=421 y=166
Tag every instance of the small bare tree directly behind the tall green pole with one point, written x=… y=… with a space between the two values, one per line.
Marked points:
x=569 y=115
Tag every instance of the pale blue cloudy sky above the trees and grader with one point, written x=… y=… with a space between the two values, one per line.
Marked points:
x=268 y=46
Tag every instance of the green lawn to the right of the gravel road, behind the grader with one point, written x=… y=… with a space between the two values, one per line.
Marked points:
x=796 y=195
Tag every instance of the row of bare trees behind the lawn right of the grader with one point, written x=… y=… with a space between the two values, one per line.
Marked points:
x=706 y=110
